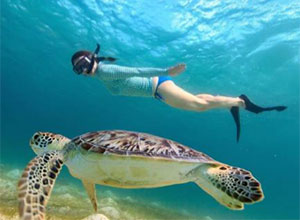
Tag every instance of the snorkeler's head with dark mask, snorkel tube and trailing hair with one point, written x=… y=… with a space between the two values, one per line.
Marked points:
x=86 y=62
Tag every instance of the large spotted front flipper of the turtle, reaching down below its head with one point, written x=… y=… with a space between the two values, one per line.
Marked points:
x=36 y=183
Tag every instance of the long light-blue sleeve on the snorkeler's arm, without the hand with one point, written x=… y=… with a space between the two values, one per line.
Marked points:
x=112 y=72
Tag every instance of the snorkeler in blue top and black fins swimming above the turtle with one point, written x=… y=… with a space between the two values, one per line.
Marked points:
x=157 y=83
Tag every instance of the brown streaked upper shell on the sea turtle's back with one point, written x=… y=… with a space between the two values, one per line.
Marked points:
x=129 y=143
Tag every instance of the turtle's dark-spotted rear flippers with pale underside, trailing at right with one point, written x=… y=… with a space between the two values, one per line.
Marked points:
x=230 y=186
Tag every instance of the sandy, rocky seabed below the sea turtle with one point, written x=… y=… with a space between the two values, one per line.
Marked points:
x=71 y=202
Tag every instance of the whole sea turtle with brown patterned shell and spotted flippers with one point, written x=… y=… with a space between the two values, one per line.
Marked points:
x=127 y=160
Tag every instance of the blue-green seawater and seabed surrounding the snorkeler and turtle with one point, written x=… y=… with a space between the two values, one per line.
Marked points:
x=230 y=48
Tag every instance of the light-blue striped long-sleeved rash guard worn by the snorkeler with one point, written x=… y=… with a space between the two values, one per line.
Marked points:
x=128 y=81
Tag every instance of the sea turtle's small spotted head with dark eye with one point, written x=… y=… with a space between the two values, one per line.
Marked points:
x=44 y=141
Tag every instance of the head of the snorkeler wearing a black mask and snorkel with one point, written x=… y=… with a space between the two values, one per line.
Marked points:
x=83 y=61
